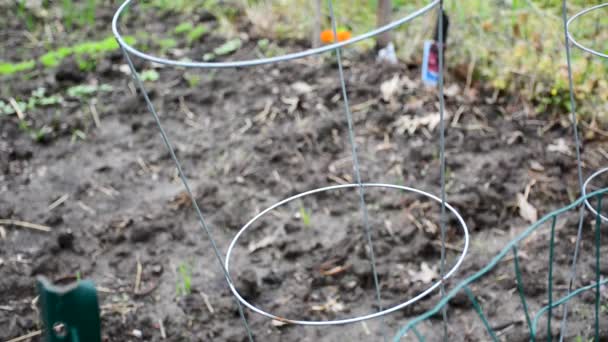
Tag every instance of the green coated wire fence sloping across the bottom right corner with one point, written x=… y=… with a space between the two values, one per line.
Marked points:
x=531 y=321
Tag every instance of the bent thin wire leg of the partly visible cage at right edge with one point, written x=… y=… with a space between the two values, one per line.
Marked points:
x=577 y=141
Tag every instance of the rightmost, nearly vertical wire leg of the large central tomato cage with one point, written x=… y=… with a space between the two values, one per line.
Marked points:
x=442 y=163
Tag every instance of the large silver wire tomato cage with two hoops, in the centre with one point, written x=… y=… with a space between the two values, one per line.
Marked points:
x=446 y=212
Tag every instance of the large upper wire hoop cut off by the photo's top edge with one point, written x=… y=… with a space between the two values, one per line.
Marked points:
x=254 y=62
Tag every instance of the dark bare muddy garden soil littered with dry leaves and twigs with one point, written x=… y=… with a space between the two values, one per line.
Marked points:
x=248 y=138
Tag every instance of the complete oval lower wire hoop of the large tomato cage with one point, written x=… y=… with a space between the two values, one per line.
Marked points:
x=378 y=314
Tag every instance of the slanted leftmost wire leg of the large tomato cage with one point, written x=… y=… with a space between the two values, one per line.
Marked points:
x=201 y=218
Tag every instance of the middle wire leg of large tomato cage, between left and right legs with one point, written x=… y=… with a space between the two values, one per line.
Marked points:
x=351 y=136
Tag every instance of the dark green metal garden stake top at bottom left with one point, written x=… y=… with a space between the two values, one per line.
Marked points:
x=70 y=313
